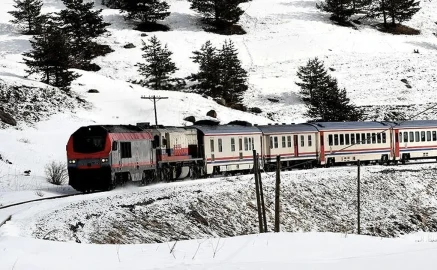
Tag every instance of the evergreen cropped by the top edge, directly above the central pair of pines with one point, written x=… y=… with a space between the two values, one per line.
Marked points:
x=219 y=11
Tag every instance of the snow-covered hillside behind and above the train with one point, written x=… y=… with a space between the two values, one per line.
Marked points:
x=281 y=36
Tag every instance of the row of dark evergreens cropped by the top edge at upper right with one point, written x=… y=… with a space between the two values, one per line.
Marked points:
x=391 y=11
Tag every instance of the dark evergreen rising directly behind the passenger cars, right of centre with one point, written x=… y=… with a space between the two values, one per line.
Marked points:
x=320 y=93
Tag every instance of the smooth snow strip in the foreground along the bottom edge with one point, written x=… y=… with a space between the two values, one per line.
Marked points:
x=281 y=251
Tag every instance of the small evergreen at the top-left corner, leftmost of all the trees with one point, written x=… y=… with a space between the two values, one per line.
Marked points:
x=27 y=15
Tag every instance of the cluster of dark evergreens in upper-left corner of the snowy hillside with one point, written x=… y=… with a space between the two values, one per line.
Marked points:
x=62 y=40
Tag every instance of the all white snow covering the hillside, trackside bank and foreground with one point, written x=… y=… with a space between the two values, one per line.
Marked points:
x=282 y=35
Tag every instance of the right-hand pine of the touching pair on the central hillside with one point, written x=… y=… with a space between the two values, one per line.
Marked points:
x=233 y=78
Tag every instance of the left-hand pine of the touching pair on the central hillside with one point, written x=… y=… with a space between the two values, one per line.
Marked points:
x=208 y=77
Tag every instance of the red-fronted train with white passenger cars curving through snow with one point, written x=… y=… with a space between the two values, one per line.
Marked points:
x=100 y=157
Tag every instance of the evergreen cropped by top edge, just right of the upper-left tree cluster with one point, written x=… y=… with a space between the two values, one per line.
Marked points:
x=146 y=11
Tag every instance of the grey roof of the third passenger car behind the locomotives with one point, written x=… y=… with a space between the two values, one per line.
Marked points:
x=350 y=125
